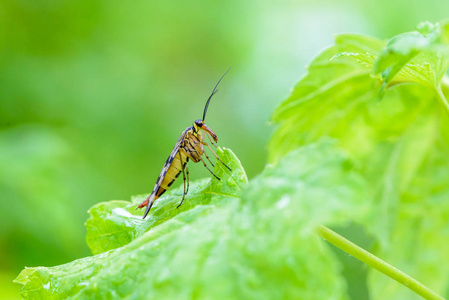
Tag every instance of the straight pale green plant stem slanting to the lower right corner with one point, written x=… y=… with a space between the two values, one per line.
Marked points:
x=375 y=262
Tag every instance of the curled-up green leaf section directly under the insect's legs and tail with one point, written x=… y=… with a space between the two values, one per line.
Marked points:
x=116 y=223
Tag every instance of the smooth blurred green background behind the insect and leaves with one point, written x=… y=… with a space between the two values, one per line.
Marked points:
x=94 y=94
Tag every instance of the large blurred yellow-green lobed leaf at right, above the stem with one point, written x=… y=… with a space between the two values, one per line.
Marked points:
x=382 y=136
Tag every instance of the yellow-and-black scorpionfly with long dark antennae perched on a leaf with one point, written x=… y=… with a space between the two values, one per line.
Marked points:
x=190 y=146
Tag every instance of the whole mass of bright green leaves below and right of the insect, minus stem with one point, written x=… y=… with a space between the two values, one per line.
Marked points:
x=338 y=157
